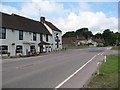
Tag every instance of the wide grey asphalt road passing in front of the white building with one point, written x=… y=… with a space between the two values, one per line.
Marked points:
x=69 y=69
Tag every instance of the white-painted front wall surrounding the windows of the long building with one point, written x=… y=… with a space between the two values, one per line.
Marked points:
x=12 y=36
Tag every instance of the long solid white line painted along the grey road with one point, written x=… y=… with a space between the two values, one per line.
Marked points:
x=58 y=86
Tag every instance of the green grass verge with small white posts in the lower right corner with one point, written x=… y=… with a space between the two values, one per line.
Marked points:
x=108 y=77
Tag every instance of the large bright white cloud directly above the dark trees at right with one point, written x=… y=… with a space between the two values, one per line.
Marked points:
x=95 y=21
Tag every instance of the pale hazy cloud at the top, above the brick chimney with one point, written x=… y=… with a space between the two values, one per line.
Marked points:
x=42 y=7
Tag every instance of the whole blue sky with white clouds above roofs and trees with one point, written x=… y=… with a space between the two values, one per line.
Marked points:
x=68 y=15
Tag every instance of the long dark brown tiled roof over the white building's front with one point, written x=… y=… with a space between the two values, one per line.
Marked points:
x=17 y=22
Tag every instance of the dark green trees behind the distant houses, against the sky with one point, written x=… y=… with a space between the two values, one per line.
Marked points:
x=108 y=38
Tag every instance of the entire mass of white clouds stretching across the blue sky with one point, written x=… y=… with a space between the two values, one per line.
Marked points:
x=65 y=19
